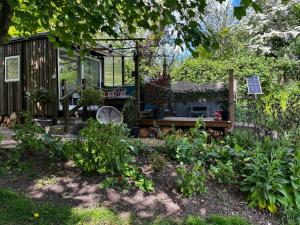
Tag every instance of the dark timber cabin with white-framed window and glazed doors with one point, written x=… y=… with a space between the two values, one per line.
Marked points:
x=33 y=63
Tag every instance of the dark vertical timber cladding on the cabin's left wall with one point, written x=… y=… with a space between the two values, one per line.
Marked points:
x=38 y=70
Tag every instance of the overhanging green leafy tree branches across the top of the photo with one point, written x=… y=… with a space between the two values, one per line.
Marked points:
x=78 y=21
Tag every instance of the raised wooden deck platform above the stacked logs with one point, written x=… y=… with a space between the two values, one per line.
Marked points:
x=184 y=122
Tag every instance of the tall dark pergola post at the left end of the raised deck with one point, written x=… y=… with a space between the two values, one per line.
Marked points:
x=137 y=79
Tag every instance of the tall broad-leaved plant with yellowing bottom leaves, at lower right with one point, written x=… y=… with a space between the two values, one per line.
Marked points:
x=265 y=176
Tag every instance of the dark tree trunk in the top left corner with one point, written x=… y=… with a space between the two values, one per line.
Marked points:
x=6 y=13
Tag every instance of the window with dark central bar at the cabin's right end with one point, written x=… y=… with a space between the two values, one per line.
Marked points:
x=113 y=71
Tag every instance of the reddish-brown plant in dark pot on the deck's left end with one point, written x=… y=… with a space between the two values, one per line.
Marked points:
x=156 y=92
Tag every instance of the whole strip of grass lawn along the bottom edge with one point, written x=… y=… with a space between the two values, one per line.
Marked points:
x=18 y=210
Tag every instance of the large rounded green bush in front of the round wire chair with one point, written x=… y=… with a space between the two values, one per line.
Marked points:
x=102 y=148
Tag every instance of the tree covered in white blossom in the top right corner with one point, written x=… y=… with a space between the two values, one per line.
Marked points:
x=275 y=28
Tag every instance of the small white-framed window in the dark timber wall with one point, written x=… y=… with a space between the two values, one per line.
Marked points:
x=12 y=68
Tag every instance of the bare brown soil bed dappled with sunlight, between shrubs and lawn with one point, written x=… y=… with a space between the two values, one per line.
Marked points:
x=64 y=184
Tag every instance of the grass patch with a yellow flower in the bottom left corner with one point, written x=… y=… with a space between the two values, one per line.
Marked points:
x=20 y=210
